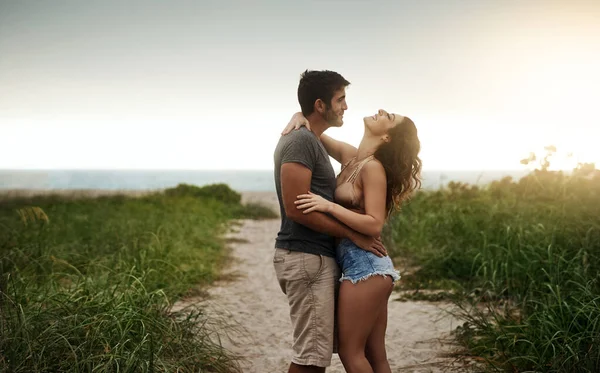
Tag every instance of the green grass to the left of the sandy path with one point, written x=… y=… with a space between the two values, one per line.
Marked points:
x=88 y=284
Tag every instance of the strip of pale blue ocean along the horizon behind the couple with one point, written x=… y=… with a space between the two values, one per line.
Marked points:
x=261 y=180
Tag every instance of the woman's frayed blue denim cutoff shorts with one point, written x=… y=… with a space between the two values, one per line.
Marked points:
x=358 y=264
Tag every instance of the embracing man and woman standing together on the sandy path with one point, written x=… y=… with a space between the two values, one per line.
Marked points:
x=329 y=259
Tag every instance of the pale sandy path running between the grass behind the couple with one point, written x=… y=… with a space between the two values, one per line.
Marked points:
x=252 y=298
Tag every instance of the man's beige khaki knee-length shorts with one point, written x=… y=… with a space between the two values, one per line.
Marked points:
x=311 y=283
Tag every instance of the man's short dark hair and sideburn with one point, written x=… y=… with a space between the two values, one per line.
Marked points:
x=316 y=85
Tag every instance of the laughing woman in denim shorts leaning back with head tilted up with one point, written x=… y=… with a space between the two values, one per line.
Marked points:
x=374 y=180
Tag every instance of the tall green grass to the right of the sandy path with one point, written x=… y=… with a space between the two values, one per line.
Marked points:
x=528 y=250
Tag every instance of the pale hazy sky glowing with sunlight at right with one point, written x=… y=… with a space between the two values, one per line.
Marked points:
x=208 y=84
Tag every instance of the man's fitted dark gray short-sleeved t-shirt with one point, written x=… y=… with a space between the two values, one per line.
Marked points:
x=302 y=146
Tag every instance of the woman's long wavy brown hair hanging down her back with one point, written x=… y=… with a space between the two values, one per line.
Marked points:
x=400 y=159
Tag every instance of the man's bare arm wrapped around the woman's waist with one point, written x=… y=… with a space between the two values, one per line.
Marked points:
x=295 y=180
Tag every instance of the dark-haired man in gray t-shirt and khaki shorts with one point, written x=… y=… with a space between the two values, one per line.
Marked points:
x=304 y=257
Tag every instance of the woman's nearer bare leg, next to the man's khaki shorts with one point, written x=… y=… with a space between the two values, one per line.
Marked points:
x=359 y=306
